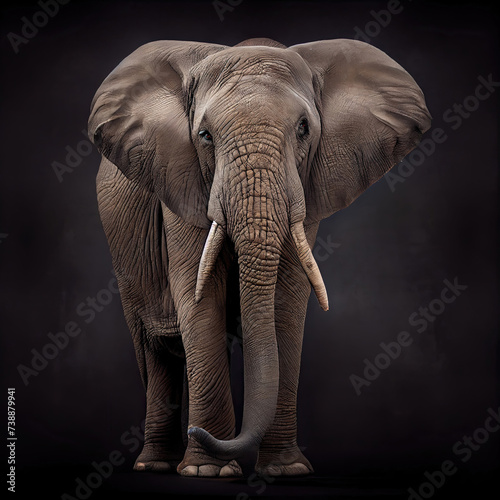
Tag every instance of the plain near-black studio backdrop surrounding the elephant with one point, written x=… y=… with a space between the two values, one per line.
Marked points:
x=392 y=251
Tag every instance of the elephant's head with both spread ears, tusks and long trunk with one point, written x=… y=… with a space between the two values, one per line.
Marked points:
x=257 y=141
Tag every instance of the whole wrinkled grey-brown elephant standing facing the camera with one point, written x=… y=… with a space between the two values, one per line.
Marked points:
x=258 y=142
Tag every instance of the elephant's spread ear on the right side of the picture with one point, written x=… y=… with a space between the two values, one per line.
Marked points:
x=372 y=115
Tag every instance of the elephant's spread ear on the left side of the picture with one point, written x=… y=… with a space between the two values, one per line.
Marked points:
x=139 y=122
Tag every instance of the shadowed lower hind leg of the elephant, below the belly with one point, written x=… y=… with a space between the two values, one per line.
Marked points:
x=163 y=447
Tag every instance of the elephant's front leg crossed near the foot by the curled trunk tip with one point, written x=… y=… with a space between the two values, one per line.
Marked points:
x=203 y=328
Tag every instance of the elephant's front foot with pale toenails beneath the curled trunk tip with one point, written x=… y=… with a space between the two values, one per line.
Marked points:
x=197 y=463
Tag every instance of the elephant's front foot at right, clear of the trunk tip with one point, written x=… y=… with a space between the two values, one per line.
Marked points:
x=284 y=462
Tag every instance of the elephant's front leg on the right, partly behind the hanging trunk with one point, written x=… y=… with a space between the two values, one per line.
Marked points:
x=279 y=454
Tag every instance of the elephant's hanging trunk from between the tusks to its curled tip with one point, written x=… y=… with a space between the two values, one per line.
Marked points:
x=258 y=265
